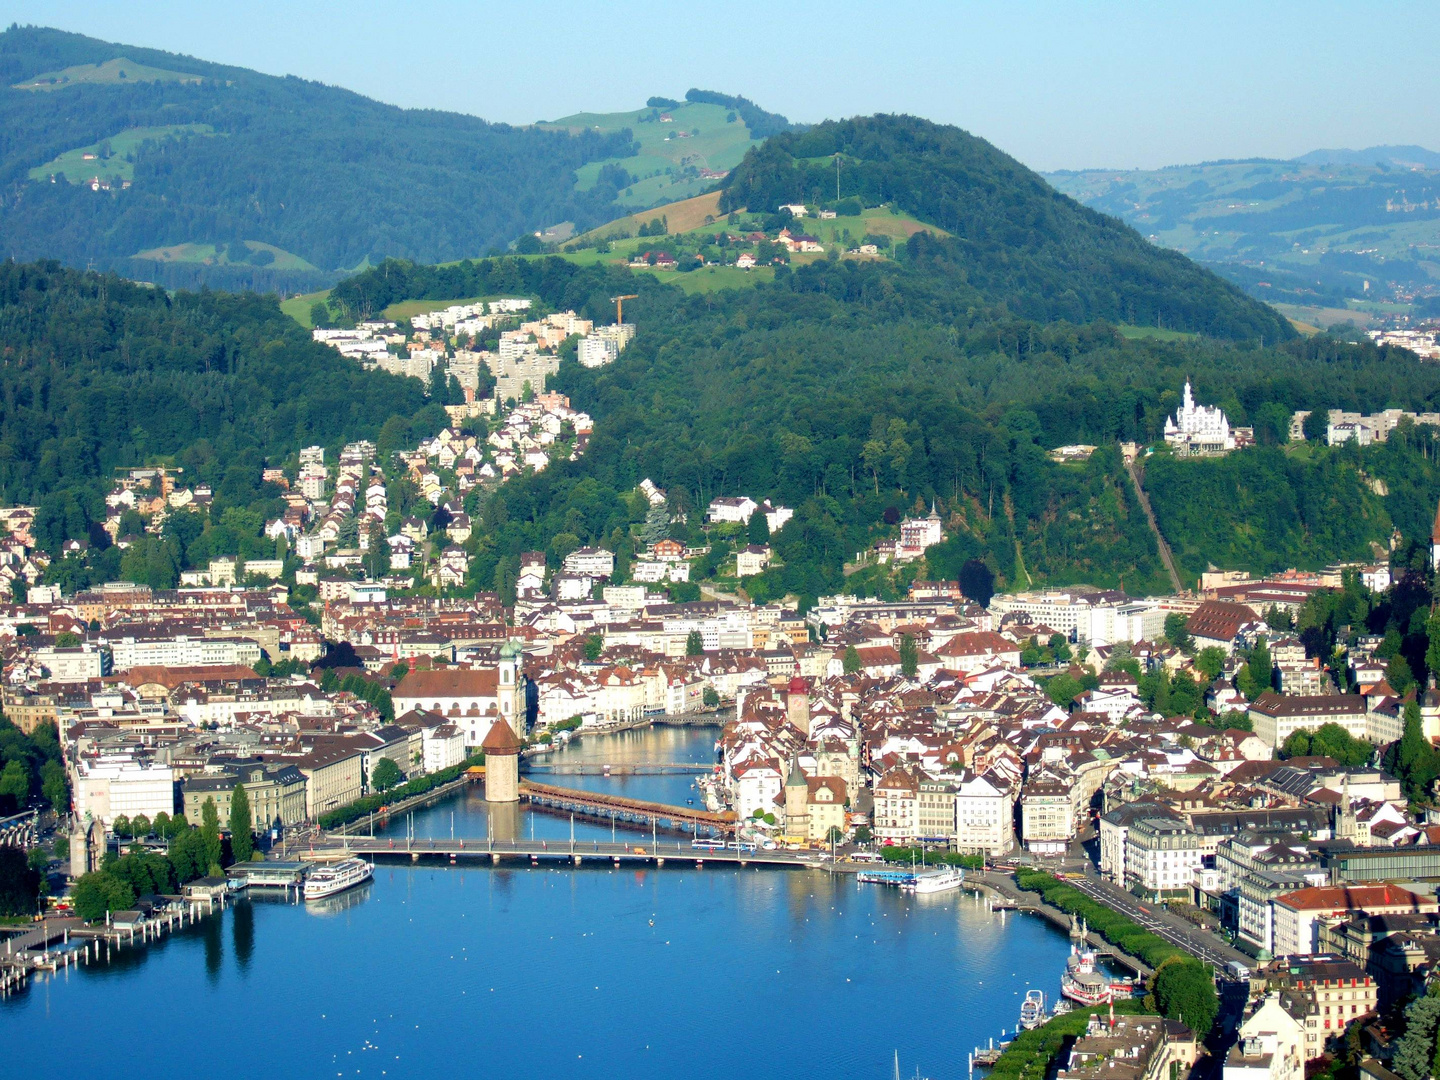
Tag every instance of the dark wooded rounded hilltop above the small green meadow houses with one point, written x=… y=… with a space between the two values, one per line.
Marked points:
x=1014 y=238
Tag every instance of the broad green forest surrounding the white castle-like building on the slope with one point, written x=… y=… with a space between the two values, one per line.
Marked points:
x=858 y=392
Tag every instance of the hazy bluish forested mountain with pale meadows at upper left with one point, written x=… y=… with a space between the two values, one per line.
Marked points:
x=240 y=179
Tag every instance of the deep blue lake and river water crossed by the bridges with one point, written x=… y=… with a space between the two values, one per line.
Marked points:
x=557 y=973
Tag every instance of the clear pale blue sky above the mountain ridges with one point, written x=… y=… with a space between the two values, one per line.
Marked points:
x=1059 y=86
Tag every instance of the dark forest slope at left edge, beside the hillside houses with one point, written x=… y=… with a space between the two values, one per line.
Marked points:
x=100 y=374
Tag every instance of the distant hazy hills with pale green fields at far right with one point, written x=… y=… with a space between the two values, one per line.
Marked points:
x=1337 y=235
